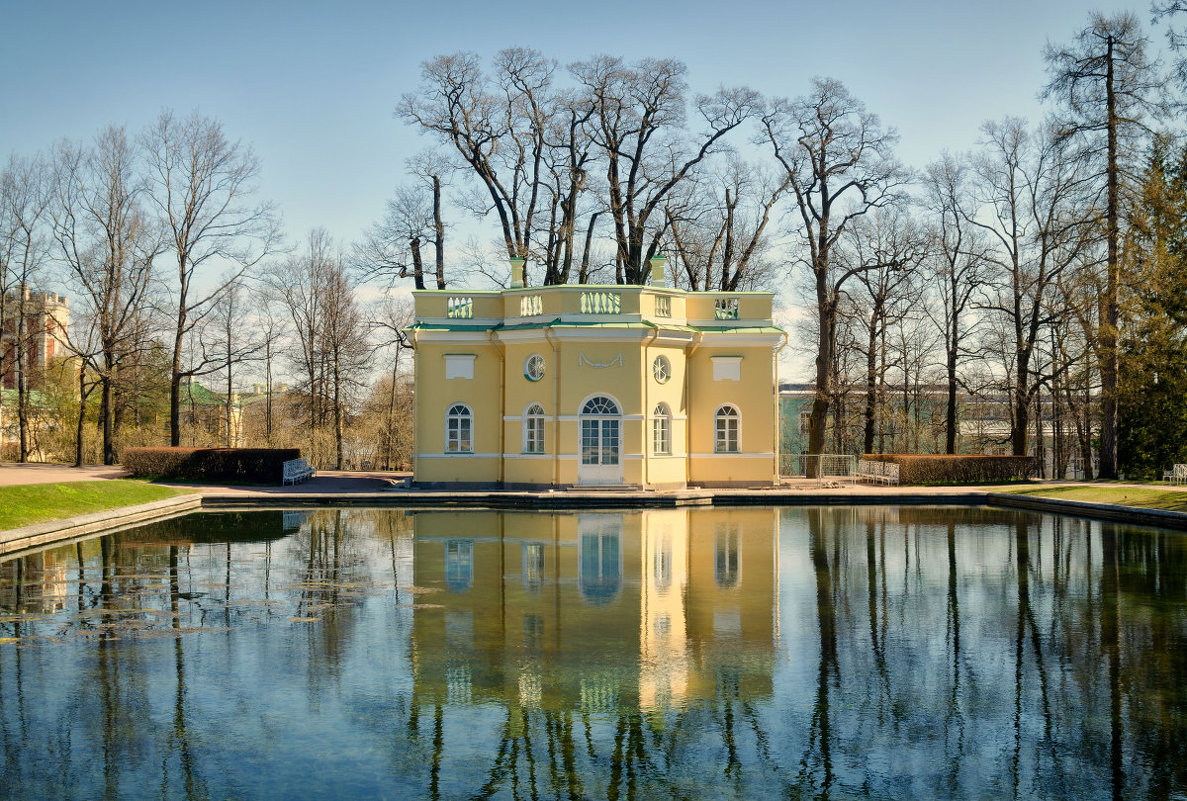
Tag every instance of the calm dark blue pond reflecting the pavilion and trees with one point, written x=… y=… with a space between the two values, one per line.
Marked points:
x=878 y=652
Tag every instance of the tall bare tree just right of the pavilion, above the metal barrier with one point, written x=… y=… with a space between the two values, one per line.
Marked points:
x=841 y=166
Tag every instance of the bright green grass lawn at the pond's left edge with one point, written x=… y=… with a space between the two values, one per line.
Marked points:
x=37 y=504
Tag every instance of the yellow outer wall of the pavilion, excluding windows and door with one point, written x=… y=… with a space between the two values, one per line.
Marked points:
x=589 y=355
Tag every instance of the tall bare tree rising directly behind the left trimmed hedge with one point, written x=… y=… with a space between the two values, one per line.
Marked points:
x=201 y=186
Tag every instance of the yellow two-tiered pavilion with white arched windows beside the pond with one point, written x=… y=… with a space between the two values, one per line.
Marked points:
x=598 y=386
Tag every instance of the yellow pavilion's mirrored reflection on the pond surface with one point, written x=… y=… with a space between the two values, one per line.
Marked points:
x=595 y=611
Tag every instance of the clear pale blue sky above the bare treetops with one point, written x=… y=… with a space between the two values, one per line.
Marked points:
x=313 y=87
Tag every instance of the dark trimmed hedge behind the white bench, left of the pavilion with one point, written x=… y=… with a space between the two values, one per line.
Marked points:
x=256 y=465
